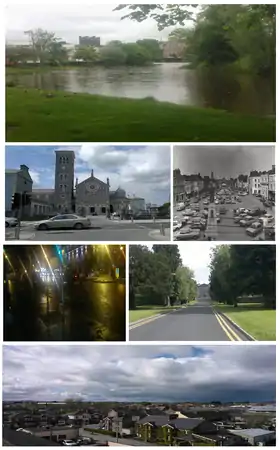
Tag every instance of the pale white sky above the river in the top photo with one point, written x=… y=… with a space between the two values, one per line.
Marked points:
x=76 y=19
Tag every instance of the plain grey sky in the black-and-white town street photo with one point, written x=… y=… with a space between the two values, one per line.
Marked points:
x=228 y=161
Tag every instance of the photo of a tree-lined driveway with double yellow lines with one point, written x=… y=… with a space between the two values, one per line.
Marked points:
x=202 y=292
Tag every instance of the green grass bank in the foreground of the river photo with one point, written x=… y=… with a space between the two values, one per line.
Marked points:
x=67 y=117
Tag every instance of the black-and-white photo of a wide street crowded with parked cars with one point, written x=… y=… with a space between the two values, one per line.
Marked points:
x=224 y=193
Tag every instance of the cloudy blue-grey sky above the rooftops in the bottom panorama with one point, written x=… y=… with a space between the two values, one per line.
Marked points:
x=139 y=373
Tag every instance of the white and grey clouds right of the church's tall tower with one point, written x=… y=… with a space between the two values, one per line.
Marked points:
x=141 y=171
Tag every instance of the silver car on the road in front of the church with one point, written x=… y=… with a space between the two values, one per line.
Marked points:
x=64 y=221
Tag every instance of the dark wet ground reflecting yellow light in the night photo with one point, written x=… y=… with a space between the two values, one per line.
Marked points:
x=92 y=311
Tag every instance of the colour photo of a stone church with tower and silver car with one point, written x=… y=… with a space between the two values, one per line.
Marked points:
x=87 y=193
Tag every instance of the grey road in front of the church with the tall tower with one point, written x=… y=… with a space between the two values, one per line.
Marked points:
x=102 y=230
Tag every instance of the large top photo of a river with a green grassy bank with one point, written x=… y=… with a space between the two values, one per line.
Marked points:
x=136 y=73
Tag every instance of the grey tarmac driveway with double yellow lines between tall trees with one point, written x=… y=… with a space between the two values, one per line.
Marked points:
x=197 y=322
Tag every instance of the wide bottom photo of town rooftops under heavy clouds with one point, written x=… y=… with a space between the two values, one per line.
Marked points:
x=139 y=395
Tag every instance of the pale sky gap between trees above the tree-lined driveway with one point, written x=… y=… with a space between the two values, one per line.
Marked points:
x=196 y=256
